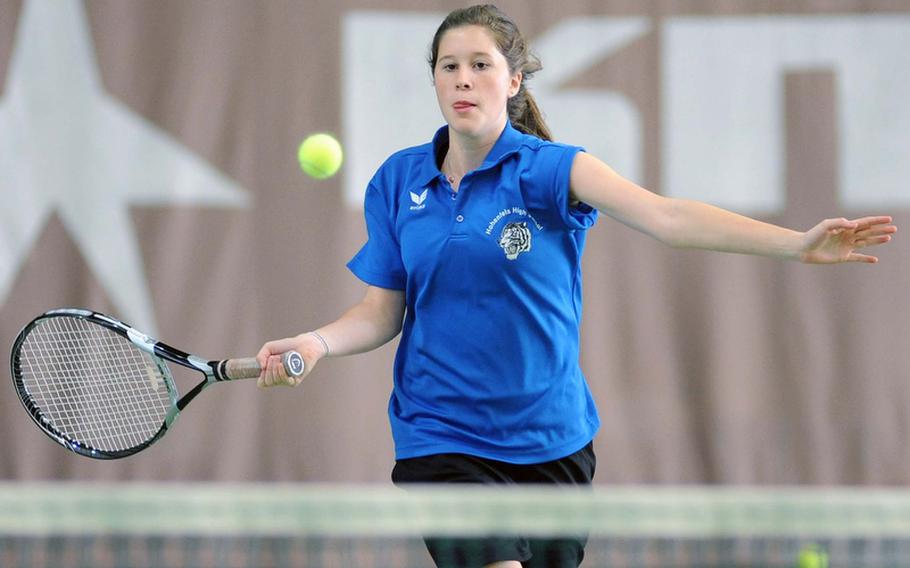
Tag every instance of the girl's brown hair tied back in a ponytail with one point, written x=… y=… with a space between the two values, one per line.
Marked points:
x=524 y=114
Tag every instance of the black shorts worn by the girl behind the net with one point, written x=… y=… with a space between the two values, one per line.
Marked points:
x=575 y=469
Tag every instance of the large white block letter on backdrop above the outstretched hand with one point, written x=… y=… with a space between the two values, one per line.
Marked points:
x=723 y=115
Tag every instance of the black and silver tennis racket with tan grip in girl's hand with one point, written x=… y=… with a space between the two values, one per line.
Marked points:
x=103 y=389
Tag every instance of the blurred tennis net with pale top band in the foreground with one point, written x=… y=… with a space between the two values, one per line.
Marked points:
x=304 y=525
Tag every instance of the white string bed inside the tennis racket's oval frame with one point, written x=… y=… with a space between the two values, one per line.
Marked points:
x=93 y=385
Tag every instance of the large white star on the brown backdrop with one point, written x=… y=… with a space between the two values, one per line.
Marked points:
x=68 y=147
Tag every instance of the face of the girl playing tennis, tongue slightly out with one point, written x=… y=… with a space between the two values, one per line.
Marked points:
x=473 y=82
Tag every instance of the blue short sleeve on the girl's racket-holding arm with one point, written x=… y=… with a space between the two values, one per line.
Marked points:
x=378 y=262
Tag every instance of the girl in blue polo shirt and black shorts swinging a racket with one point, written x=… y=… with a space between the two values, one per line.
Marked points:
x=474 y=250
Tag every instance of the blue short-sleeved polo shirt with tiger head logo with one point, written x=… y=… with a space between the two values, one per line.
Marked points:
x=487 y=364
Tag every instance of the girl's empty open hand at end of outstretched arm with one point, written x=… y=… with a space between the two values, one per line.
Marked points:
x=837 y=240
